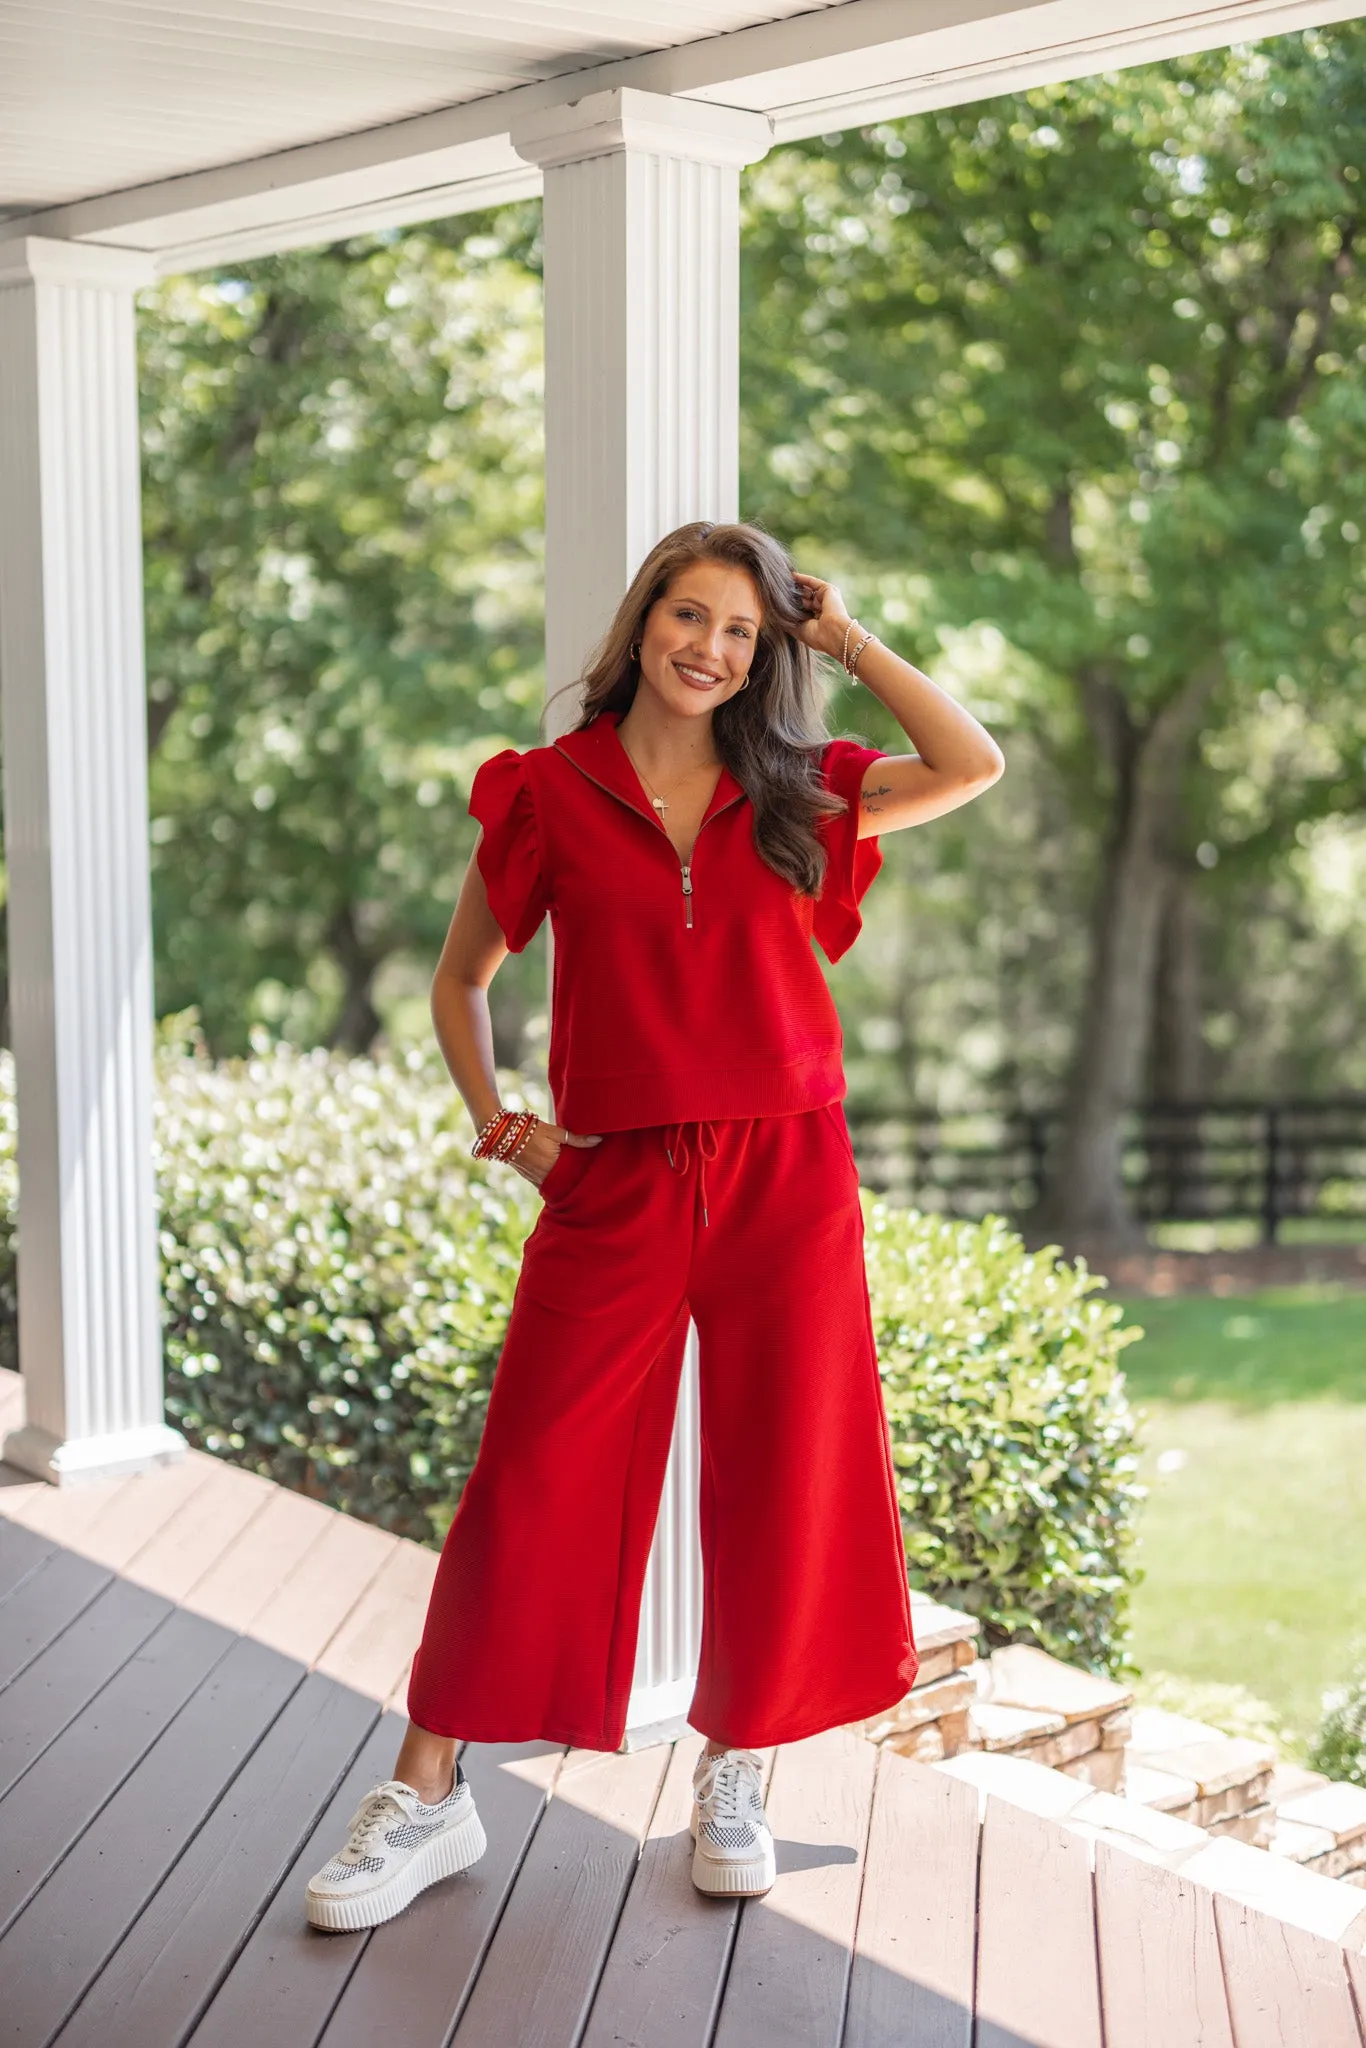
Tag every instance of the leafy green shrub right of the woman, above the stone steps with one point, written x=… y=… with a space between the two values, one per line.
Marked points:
x=1013 y=1437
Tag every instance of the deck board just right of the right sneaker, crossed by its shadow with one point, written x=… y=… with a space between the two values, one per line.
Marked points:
x=789 y=1975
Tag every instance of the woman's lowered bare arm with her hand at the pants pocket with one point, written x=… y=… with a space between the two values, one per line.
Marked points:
x=470 y=959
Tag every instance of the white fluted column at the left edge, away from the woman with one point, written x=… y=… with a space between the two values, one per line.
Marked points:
x=75 y=712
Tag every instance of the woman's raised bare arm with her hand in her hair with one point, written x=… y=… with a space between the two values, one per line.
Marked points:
x=955 y=757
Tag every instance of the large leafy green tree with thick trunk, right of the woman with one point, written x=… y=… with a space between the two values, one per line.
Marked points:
x=1091 y=361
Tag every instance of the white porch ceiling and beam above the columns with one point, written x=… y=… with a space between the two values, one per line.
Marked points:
x=206 y=130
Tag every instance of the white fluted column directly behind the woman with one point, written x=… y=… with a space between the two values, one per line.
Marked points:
x=642 y=357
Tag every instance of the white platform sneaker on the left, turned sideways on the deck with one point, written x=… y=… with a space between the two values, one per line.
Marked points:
x=394 y=1850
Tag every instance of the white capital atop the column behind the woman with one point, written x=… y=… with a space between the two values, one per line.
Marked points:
x=654 y=124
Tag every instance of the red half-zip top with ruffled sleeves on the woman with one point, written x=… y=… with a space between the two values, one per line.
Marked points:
x=679 y=992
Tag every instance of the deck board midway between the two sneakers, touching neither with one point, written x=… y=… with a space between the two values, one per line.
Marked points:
x=544 y=1965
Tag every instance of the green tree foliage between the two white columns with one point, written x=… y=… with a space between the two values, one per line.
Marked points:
x=343 y=521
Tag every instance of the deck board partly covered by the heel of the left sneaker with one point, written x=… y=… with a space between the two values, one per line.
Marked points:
x=427 y=1961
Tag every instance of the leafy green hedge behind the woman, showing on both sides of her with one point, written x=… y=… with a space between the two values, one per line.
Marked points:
x=339 y=1275
